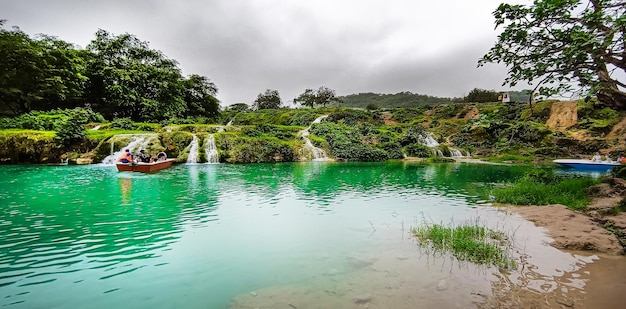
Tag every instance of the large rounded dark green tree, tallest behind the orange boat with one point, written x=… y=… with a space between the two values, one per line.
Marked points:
x=128 y=79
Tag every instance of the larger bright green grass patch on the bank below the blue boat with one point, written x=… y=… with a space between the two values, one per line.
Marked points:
x=545 y=188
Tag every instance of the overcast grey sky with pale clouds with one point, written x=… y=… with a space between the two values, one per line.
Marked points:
x=248 y=46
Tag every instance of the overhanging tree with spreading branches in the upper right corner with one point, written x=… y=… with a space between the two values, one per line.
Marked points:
x=562 y=44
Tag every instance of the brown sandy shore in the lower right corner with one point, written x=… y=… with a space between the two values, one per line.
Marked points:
x=576 y=232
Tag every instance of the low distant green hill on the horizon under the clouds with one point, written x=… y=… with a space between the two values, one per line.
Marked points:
x=401 y=99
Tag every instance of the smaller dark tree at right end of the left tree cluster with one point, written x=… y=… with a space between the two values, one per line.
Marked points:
x=200 y=97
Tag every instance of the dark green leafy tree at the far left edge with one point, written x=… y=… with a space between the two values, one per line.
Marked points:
x=38 y=74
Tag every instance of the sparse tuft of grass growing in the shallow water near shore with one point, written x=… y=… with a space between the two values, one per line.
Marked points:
x=468 y=242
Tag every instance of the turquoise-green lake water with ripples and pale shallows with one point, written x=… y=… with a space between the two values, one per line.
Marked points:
x=305 y=235
